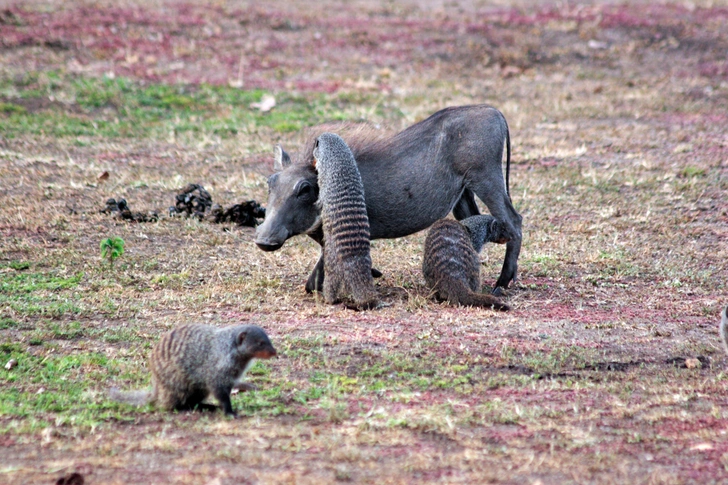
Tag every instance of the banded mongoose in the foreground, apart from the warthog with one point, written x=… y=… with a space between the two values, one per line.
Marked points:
x=191 y=362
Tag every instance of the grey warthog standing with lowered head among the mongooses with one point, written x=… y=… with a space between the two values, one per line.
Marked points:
x=411 y=180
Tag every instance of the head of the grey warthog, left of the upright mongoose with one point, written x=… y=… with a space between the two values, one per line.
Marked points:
x=291 y=210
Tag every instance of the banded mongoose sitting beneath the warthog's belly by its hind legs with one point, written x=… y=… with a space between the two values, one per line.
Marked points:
x=451 y=263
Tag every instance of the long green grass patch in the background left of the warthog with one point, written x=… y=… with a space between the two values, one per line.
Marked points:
x=119 y=107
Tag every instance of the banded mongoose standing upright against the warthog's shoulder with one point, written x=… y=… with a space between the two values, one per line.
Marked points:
x=347 y=262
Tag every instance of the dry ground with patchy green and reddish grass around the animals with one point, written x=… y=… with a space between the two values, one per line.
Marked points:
x=608 y=370
